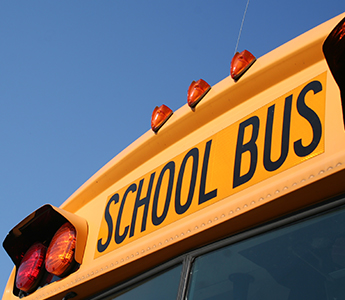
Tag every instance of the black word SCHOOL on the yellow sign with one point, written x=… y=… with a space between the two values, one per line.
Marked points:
x=156 y=219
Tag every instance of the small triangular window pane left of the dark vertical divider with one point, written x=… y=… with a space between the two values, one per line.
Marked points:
x=161 y=287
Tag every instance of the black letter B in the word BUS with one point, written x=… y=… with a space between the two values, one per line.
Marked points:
x=250 y=146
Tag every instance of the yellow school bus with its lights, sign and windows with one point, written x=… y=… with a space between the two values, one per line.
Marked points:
x=239 y=194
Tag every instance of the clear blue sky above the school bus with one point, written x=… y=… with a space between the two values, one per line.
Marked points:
x=79 y=80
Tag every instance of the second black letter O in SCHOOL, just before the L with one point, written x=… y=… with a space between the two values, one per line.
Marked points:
x=180 y=209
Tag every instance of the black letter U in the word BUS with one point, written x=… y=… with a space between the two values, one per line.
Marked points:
x=268 y=163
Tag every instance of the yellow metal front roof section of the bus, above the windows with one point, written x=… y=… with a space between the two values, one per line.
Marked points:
x=293 y=73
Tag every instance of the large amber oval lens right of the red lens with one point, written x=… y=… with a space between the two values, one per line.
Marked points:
x=60 y=254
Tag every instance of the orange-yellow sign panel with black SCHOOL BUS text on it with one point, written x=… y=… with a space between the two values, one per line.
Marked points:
x=277 y=136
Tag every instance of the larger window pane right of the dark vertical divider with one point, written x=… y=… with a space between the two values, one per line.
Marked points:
x=303 y=261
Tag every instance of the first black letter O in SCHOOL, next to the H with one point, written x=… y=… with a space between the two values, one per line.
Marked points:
x=155 y=219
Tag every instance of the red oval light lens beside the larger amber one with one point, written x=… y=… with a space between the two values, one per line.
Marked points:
x=31 y=267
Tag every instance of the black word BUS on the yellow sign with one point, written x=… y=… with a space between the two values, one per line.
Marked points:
x=298 y=148
